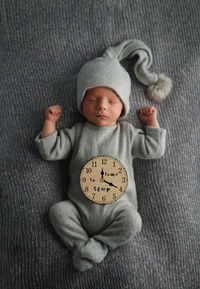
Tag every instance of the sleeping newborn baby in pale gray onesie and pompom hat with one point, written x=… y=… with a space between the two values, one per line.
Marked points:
x=88 y=227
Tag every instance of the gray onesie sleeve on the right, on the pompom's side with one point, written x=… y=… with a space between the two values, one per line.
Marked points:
x=149 y=144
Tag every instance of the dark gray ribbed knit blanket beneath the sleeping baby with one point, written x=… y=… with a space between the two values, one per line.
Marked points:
x=43 y=45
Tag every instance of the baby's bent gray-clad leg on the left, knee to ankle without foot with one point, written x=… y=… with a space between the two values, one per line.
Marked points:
x=65 y=219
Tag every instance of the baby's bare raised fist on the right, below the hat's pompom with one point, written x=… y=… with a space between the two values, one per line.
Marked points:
x=148 y=116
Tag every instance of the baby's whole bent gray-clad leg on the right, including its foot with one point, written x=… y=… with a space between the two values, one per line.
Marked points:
x=124 y=223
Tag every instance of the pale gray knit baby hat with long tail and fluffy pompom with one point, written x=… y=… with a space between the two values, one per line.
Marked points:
x=107 y=71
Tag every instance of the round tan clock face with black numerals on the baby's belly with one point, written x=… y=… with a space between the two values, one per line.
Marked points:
x=103 y=180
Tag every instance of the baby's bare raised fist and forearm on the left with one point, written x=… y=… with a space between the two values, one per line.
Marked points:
x=52 y=114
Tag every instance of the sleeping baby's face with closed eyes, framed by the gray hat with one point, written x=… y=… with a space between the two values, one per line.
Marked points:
x=102 y=106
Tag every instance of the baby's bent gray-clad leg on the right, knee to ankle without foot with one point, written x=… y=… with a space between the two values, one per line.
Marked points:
x=126 y=222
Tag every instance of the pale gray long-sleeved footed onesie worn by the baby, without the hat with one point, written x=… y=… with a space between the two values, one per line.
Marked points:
x=89 y=229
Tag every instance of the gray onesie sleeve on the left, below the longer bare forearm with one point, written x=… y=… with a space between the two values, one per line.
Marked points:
x=58 y=145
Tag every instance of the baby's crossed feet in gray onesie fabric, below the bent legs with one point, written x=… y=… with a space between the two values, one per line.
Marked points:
x=91 y=253
